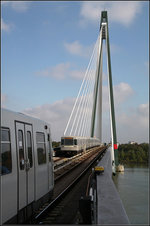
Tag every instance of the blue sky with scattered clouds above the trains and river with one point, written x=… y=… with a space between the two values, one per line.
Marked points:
x=45 y=50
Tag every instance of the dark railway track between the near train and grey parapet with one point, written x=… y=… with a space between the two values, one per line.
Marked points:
x=64 y=185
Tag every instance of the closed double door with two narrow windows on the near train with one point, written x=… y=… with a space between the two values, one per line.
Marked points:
x=25 y=164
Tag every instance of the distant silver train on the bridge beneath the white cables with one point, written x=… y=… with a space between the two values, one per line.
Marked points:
x=73 y=145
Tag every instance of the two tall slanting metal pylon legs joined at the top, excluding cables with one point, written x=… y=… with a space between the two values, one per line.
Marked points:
x=104 y=35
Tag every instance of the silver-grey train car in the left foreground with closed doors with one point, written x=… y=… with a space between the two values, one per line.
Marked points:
x=27 y=179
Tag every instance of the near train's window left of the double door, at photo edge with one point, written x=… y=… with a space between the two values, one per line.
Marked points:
x=6 y=152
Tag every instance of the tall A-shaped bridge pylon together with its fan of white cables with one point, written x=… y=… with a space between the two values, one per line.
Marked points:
x=86 y=115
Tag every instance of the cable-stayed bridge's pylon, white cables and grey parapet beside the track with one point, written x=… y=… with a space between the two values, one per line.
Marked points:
x=86 y=121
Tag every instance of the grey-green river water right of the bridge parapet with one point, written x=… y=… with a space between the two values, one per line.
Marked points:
x=133 y=188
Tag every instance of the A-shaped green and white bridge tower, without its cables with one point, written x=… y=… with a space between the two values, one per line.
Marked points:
x=97 y=104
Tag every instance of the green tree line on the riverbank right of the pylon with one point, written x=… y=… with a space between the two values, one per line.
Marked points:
x=136 y=153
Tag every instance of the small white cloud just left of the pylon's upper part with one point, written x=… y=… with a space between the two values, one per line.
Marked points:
x=76 y=48
